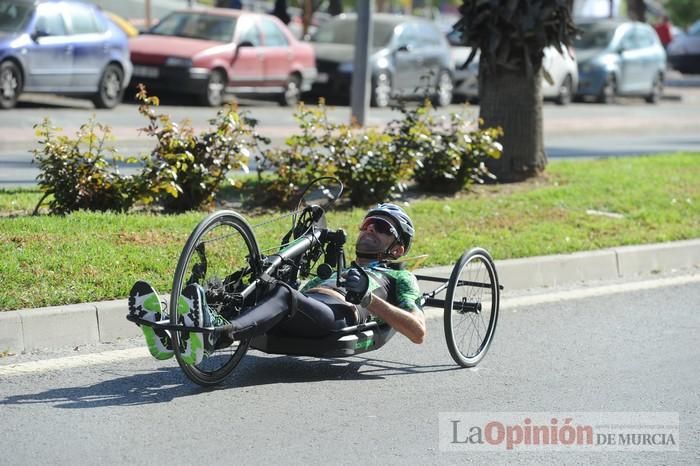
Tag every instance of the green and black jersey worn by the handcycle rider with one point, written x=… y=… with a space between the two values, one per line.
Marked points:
x=398 y=287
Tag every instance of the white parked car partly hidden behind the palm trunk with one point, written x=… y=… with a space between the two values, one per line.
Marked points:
x=561 y=66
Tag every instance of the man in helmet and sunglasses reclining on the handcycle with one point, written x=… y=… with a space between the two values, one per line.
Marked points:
x=387 y=294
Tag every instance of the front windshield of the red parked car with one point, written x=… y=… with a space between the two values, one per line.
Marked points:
x=196 y=26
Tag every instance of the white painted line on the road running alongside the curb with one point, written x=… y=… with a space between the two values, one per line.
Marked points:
x=110 y=357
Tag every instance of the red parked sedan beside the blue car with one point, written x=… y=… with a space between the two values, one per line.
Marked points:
x=208 y=52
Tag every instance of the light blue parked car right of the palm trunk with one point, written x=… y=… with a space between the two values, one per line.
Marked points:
x=619 y=58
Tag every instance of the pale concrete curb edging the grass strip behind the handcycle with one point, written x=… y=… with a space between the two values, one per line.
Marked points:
x=104 y=322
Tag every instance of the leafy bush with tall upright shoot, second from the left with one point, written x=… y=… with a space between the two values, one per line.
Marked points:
x=184 y=170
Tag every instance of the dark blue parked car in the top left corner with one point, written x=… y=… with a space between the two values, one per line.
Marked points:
x=61 y=47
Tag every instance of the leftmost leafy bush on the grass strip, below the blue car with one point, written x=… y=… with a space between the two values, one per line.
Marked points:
x=76 y=173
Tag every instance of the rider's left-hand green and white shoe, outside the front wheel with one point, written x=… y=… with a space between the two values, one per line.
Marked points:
x=145 y=304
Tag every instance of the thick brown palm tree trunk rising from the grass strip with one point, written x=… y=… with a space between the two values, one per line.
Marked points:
x=513 y=101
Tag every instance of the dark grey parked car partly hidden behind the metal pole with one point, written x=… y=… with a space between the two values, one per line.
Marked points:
x=409 y=57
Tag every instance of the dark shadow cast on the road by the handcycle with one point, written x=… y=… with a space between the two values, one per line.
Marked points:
x=168 y=383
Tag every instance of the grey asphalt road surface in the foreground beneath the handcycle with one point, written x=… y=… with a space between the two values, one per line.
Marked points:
x=612 y=352
